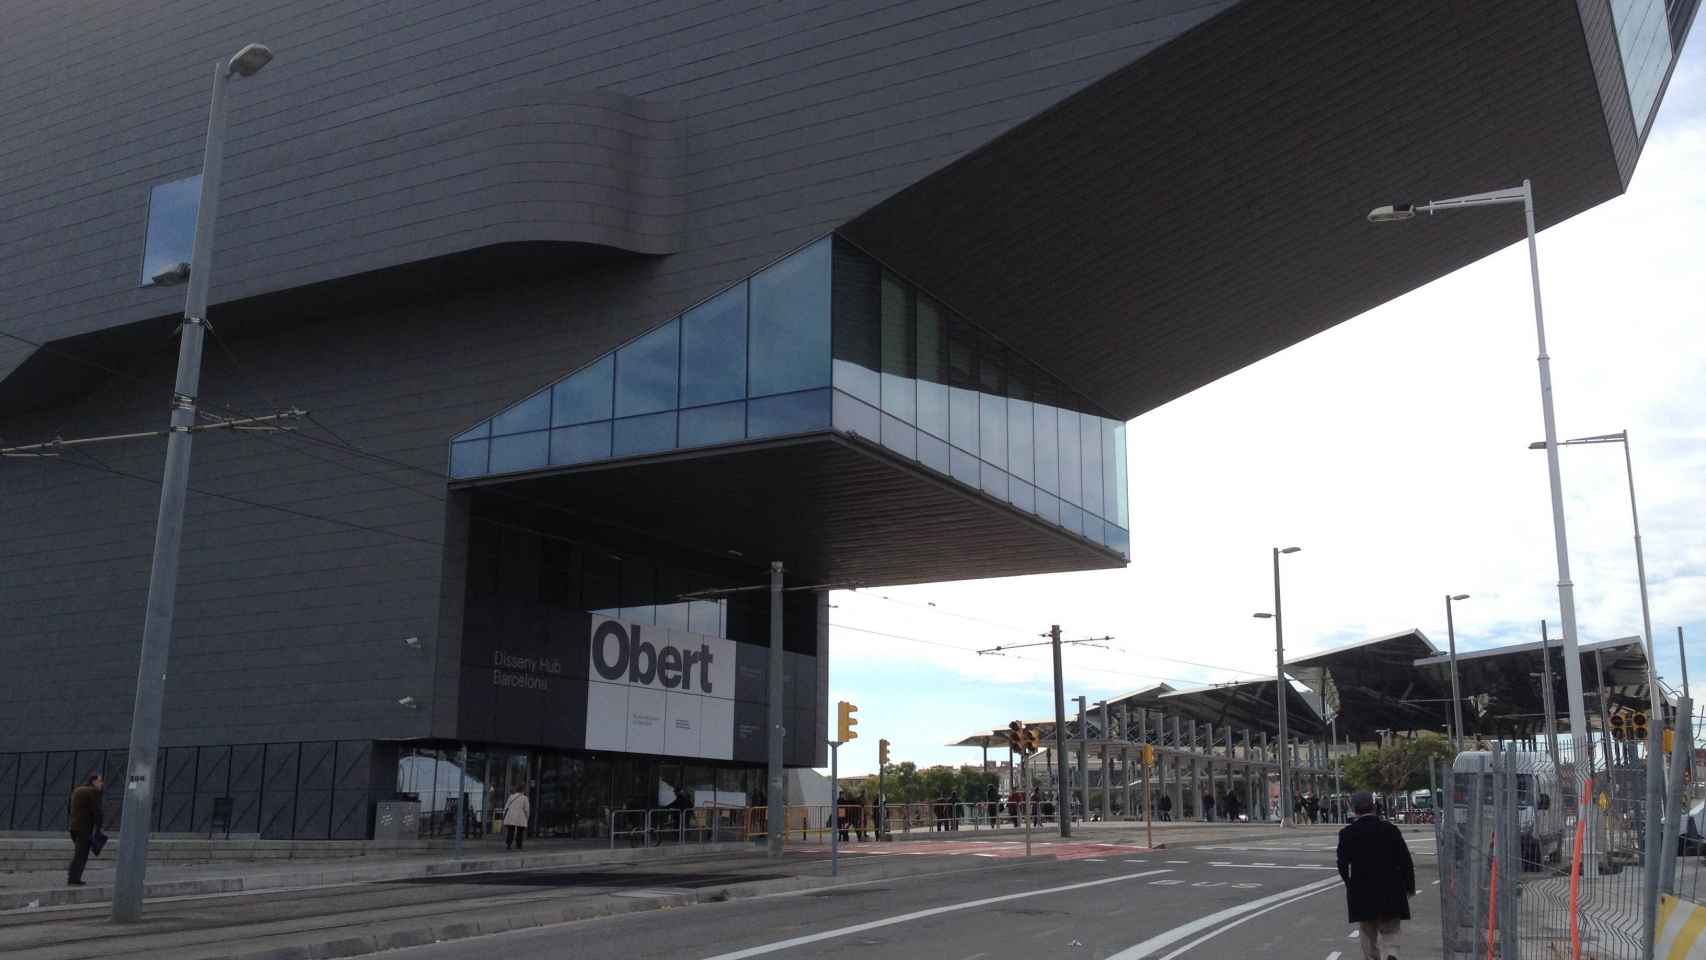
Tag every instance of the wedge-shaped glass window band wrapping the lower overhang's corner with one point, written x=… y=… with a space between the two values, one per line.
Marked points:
x=830 y=340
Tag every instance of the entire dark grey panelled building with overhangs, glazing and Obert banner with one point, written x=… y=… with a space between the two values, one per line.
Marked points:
x=600 y=308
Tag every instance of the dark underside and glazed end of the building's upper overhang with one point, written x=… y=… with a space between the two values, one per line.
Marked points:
x=1205 y=207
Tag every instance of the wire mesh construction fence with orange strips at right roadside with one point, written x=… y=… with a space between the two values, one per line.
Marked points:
x=1565 y=860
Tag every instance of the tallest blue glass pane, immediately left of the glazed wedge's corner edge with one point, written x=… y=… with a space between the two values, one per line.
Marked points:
x=791 y=325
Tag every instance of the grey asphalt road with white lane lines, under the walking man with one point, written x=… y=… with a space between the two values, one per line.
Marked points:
x=1277 y=899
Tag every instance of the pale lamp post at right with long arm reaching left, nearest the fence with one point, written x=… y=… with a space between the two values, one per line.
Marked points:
x=1567 y=599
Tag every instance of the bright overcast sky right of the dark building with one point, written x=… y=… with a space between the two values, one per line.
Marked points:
x=1393 y=449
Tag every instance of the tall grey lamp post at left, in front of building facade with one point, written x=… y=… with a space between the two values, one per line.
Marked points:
x=168 y=533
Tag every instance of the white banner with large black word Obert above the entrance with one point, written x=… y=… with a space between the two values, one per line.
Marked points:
x=659 y=691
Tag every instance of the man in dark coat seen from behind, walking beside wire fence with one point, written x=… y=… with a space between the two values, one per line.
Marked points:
x=1379 y=879
